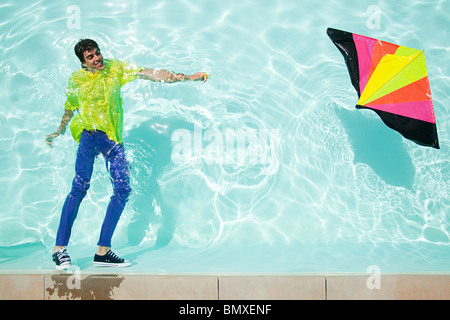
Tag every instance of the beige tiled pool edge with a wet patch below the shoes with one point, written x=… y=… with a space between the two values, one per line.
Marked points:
x=54 y=286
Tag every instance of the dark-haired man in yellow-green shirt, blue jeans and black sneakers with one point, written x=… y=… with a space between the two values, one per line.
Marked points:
x=94 y=91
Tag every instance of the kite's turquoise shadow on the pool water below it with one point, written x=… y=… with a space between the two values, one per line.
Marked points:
x=379 y=147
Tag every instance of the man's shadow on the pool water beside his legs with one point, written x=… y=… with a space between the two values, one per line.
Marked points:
x=152 y=148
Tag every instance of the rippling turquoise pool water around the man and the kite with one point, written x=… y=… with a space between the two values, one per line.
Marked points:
x=316 y=186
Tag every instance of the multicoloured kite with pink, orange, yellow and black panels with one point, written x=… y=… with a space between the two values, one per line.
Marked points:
x=391 y=80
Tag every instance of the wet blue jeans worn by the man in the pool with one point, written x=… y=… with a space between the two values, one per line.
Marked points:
x=92 y=143
